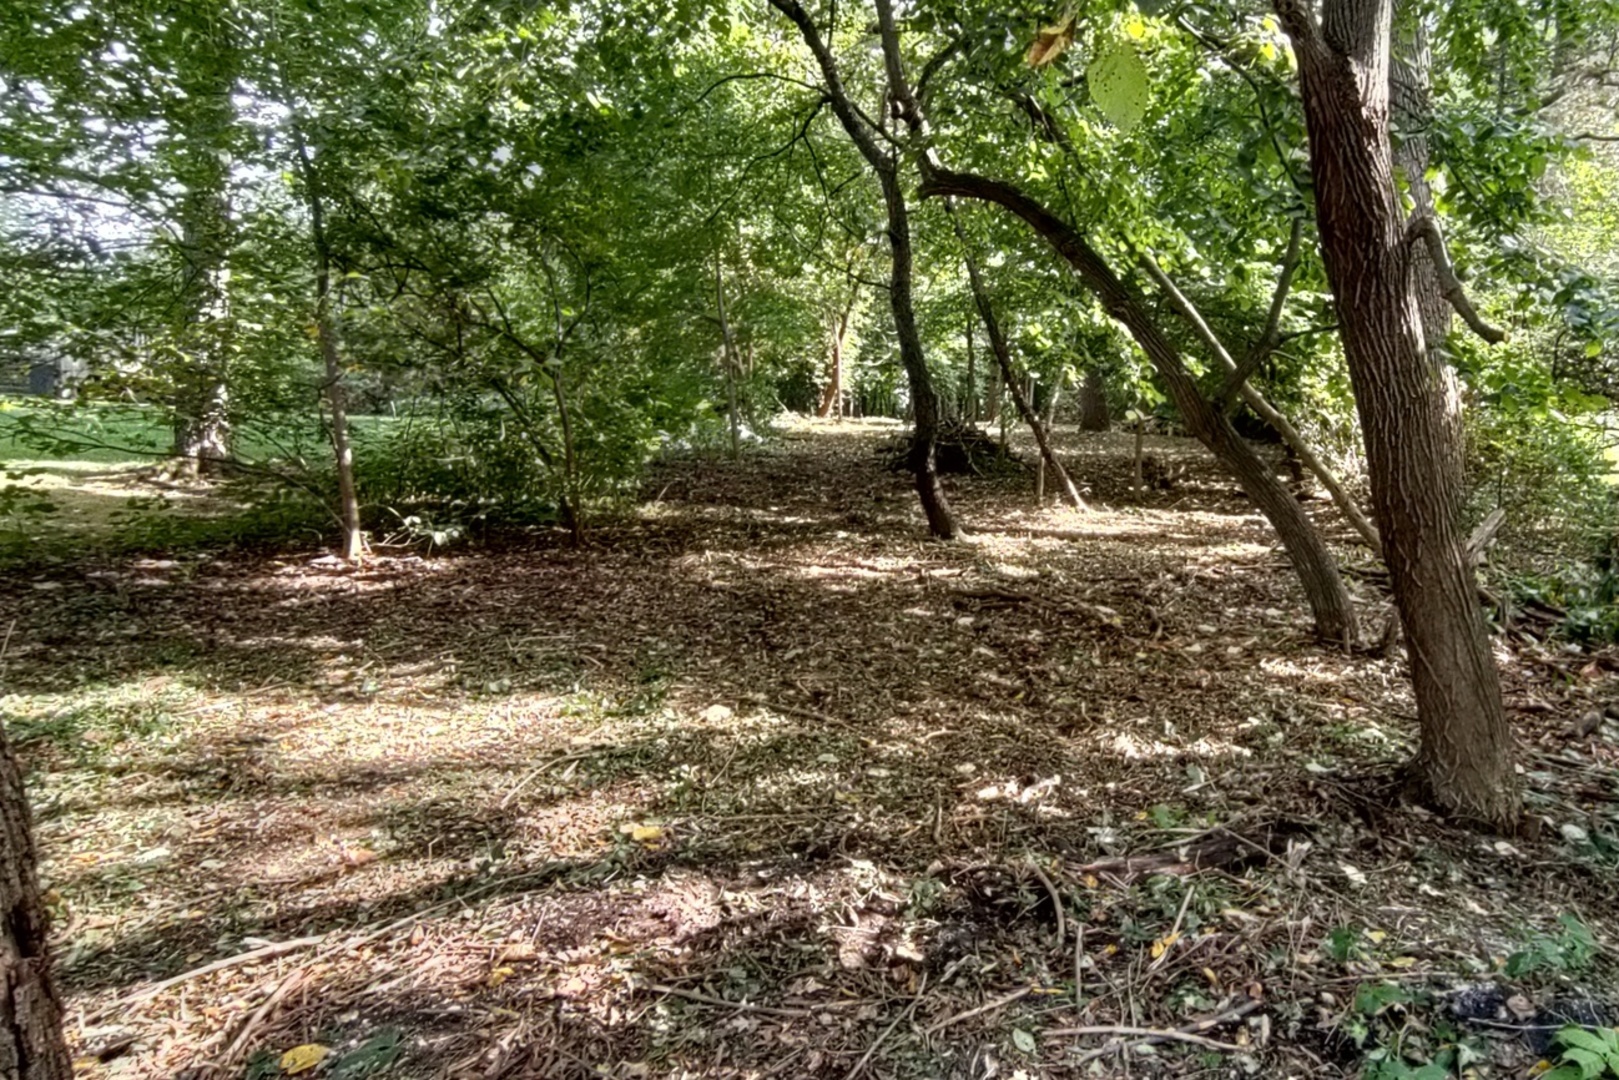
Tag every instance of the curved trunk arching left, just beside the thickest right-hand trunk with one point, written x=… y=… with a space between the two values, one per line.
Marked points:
x=1312 y=559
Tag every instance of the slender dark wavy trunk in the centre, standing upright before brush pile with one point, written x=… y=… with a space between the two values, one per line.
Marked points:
x=924 y=398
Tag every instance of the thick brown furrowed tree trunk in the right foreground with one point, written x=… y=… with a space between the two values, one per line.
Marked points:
x=1466 y=757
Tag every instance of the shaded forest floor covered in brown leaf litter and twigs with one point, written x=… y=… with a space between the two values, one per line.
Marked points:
x=762 y=783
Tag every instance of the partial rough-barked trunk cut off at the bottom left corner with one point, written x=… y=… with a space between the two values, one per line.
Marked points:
x=32 y=1045
